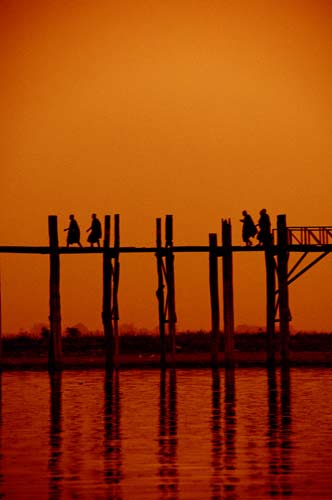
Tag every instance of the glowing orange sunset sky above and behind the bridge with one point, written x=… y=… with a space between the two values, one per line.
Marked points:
x=199 y=110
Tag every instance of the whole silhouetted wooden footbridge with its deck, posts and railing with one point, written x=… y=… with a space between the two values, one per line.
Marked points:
x=305 y=240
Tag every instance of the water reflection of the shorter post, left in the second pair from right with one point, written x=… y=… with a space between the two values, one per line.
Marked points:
x=216 y=439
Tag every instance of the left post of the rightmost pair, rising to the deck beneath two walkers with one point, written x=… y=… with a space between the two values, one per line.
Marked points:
x=270 y=305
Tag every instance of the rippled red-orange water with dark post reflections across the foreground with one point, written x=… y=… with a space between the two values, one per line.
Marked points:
x=184 y=434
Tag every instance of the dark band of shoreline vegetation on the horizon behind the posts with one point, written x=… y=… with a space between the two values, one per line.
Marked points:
x=145 y=343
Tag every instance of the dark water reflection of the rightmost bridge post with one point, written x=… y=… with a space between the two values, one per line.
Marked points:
x=286 y=432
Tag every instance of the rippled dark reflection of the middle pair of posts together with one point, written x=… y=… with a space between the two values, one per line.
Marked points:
x=168 y=440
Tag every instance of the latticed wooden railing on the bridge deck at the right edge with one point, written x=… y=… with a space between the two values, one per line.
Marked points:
x=308 y=235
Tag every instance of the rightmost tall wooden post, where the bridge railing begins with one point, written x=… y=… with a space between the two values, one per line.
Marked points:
x=284 y=312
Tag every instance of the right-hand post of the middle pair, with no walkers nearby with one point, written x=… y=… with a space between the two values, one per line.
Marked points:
x=170 y=284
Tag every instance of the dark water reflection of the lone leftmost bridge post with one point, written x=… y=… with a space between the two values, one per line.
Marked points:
x=54 y=468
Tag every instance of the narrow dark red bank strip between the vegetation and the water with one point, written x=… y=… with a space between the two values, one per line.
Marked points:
x=148 y=360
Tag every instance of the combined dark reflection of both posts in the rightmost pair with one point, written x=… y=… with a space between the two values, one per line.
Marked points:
x=279 y=434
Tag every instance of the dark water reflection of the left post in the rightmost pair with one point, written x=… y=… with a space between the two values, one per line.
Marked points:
x=272 y=433
